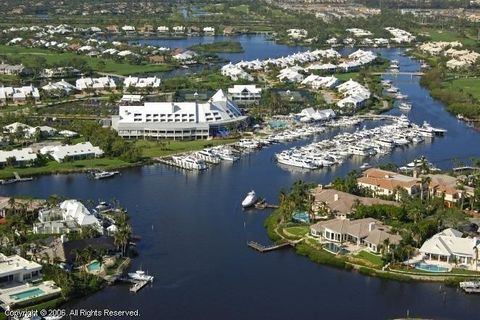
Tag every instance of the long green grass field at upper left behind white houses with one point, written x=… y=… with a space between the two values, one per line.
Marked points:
x=111 y=66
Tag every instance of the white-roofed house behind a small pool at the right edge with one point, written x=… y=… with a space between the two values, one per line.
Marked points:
x=449 y=246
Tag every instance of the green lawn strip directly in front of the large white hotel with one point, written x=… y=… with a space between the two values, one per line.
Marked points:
x=164 y=148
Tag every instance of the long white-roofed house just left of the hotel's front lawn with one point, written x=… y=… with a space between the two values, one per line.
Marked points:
x=83 y=150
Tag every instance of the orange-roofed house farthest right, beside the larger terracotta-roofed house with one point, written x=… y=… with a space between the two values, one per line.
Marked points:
x=448 y=188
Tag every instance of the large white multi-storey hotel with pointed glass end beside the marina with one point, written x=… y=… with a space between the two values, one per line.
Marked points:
x=178 y=120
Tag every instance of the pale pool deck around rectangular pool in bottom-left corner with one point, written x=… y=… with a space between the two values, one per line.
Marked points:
x=48 y=287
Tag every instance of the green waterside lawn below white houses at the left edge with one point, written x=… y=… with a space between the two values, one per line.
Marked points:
x=55 y=167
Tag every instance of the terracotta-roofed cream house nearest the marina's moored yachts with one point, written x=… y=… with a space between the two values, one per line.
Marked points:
x=386 y=183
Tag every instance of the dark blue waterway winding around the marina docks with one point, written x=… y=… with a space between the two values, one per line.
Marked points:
x=194 y=236
